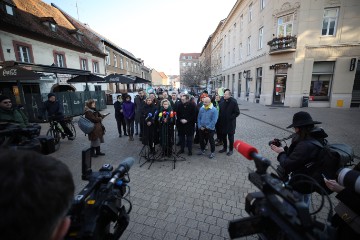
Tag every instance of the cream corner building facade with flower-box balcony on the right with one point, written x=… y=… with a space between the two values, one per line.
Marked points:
x=292 y=53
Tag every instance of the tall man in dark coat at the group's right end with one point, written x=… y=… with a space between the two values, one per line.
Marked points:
x=229 y=111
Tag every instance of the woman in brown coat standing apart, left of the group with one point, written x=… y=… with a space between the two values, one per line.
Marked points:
x=96 y=137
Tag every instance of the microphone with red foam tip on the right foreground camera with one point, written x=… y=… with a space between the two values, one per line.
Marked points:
x=251 y=153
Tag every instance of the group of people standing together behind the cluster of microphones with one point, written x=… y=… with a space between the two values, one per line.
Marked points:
x=156 y=117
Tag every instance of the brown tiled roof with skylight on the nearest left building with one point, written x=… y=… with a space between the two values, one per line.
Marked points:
x=28 y=21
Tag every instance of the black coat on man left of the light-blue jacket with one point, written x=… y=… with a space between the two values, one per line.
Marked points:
x=186 y=111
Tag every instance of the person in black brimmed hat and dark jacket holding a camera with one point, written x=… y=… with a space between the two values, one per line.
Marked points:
x=301 y=152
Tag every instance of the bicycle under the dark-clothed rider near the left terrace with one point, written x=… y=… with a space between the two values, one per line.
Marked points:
x=57 y=132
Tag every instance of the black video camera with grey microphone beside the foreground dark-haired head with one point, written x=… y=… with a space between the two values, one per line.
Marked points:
x=98 y=211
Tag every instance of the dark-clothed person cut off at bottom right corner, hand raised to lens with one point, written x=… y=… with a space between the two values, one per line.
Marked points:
x=347 y=209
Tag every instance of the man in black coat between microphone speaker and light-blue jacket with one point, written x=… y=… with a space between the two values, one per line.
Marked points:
x=186 y=117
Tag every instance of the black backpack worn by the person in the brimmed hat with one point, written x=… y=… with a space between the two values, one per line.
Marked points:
x=330 y=159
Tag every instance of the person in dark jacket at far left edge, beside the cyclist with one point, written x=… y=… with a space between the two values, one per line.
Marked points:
x=10 y=114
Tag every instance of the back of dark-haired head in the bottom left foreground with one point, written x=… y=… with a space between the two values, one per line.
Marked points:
x=36 y=193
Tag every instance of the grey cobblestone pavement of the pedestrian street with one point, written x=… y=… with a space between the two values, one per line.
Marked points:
x=199 y=197
